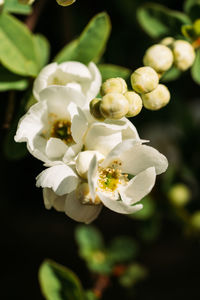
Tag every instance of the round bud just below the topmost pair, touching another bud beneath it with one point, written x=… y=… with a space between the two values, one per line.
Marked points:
x=144 y=80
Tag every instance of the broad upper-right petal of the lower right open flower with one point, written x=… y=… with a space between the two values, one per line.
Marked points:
x=141 y=157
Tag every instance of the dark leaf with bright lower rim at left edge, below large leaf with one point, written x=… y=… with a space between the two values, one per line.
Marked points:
x=10 y=81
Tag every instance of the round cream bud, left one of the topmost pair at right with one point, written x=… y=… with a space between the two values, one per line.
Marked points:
x=159 y=57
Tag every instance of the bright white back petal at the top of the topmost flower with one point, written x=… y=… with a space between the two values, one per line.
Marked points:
x=76 y=71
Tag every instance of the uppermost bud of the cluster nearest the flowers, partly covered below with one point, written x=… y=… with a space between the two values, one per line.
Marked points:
x=114 y=85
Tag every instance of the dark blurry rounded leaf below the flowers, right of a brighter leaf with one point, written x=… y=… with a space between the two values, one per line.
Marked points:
x=122 y=249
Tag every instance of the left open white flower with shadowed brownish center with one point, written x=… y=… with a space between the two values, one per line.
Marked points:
x=54 y=127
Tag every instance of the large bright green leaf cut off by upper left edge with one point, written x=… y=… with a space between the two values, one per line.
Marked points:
x=17 y=51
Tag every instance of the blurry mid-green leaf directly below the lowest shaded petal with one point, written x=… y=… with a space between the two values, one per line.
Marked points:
x=88 y=238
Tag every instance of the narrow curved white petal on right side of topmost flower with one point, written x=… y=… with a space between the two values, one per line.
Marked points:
x=95 y=82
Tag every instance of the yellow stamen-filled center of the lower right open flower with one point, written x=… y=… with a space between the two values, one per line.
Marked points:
x=111 y=177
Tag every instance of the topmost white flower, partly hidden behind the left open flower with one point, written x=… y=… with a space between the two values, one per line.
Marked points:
x=76 y=75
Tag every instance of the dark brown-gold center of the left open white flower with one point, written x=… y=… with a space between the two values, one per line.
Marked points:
x=62 y=129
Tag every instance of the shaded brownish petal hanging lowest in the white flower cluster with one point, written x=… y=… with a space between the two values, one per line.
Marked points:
x=81 y=212
